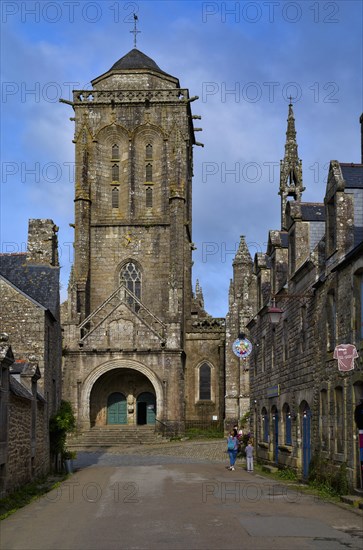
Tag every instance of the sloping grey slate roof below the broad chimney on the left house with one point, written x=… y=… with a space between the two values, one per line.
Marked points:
x=40 y=282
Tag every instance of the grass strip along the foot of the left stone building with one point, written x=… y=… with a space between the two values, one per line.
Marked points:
x=28 y=493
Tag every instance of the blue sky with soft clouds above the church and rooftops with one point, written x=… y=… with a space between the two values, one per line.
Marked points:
x=243 y=60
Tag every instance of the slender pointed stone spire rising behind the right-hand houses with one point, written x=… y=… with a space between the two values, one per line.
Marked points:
x=291 y=184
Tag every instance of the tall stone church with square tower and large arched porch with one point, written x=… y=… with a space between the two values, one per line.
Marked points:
x=139 y=347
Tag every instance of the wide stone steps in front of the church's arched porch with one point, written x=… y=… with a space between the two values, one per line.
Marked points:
x=101 y=437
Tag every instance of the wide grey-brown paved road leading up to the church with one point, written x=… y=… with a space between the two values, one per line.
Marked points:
x=176 y=496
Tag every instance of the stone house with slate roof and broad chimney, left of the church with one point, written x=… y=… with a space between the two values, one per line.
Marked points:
x=30 y=387
